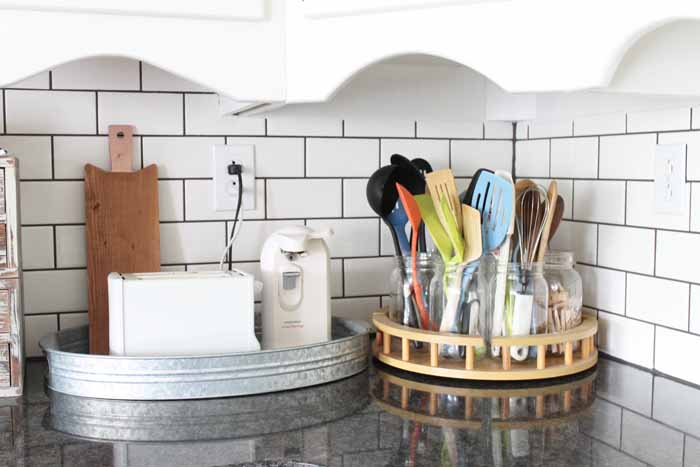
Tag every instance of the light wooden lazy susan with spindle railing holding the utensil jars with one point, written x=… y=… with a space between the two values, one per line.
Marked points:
x=394 y=346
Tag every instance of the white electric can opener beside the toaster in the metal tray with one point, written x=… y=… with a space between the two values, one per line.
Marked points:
x=296 y=288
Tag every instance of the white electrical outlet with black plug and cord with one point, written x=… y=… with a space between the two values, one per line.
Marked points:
x=225 y=185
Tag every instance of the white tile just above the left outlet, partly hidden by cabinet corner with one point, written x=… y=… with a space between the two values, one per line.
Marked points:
x=202 y=117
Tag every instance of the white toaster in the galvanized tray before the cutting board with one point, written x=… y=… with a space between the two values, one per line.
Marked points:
x=181 y=313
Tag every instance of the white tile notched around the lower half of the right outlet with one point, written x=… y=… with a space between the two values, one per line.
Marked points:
x=641 y=209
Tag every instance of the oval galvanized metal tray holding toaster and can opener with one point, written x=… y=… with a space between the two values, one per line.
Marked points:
x=73 y=371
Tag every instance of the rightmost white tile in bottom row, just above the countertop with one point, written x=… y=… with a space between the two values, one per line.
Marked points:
x=671 y=347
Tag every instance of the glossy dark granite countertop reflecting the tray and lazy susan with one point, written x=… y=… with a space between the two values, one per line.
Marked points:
x=613 y=415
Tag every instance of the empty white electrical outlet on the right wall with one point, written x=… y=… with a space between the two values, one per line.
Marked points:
x=669 y=178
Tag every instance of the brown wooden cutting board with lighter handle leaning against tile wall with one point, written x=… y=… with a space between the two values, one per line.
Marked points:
x=122 y=229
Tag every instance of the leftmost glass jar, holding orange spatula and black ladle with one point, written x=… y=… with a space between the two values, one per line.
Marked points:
x=404 y=306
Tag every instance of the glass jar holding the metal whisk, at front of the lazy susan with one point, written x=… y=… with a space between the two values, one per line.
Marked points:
x=518 y=305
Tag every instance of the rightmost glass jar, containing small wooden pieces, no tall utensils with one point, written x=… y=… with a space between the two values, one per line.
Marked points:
x=565 y=293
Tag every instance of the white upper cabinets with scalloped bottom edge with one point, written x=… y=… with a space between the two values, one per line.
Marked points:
x=274 y=52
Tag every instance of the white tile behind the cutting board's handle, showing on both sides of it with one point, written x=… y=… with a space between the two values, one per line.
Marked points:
x=71 y=153
